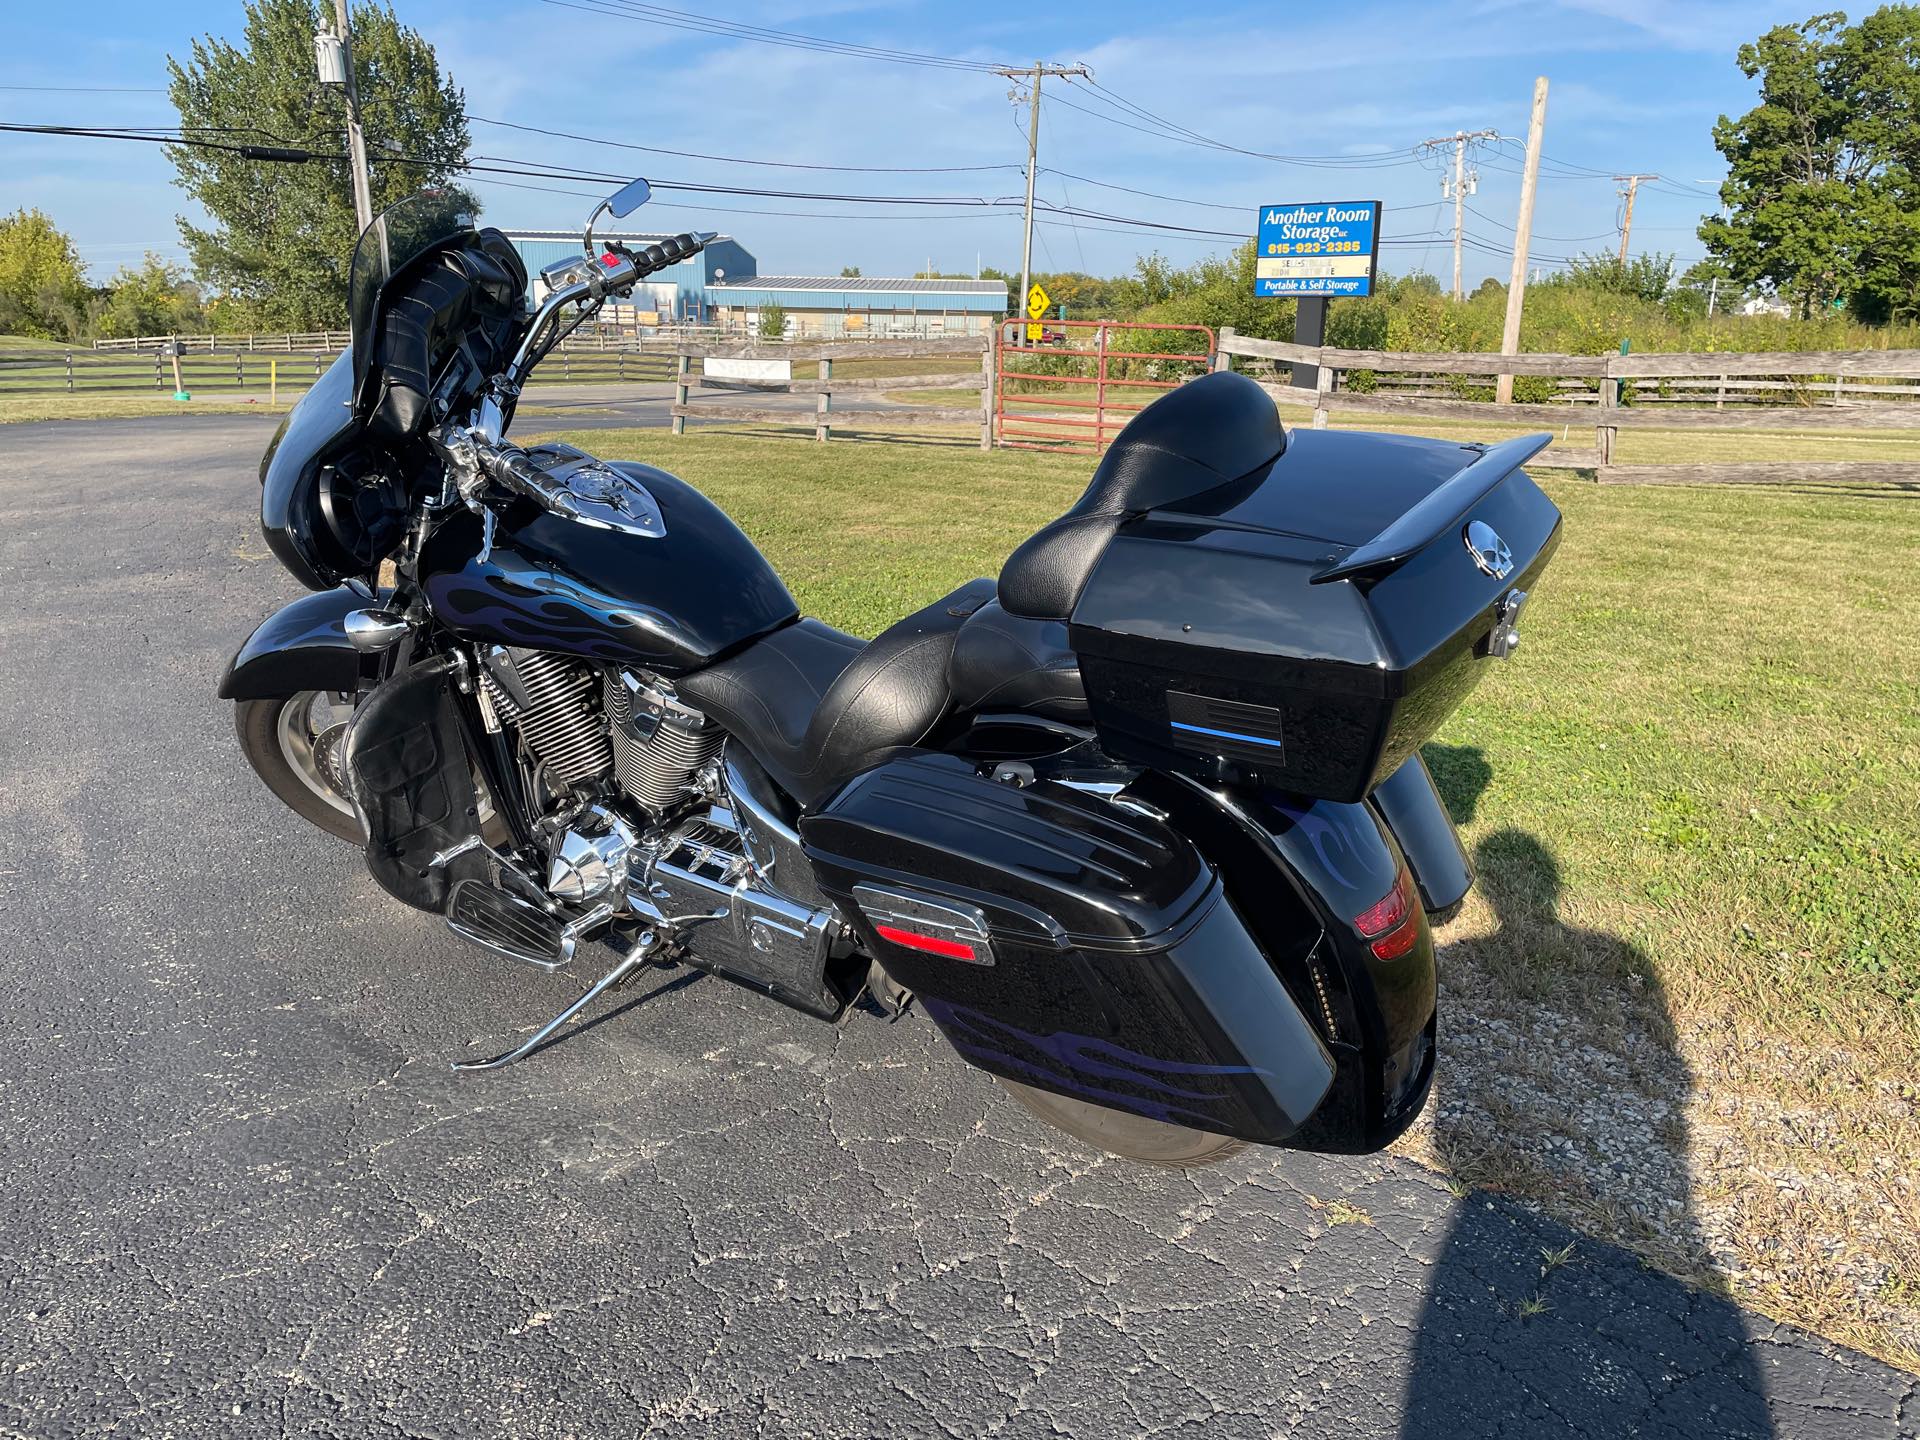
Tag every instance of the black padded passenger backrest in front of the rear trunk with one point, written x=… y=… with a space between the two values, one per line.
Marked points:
x=1211 y=433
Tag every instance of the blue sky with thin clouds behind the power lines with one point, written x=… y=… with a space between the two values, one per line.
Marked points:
x=1635 y=87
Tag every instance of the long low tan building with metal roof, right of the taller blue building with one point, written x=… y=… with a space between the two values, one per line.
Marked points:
x=859 y=304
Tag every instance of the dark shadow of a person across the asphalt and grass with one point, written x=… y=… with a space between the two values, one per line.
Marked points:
x=1568 y=1080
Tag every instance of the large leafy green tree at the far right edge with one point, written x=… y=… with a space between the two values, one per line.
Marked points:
x=1823 y=191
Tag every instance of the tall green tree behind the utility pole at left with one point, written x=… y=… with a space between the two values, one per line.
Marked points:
x=283 y=235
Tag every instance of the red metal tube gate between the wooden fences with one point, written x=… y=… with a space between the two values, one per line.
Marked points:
x=1061 y=395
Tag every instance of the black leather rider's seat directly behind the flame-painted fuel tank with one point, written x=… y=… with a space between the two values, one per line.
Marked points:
x=815 y=706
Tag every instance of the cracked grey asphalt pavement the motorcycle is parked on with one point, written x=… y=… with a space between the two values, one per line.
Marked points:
x=245 y=1195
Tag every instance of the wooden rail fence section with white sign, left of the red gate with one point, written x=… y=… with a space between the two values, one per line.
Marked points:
x=974 y=379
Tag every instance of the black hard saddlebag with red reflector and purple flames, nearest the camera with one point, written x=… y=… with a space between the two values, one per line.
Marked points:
x=1070 y=944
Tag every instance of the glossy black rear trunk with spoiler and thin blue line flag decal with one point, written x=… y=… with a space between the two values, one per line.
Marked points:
x=1310 y=635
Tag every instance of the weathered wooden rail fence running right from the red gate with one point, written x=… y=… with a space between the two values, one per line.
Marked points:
x=1710 y=393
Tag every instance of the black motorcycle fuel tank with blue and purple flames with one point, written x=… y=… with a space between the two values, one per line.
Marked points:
x=673 y=600
